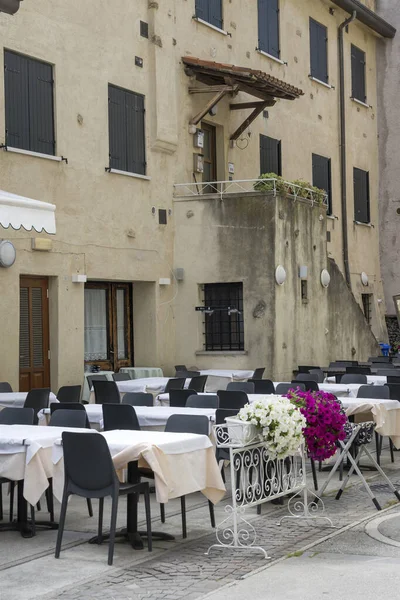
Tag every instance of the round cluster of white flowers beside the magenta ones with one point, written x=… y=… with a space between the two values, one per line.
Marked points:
x=280 y=425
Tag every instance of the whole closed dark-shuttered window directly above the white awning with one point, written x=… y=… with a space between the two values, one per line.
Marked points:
x=29 y=104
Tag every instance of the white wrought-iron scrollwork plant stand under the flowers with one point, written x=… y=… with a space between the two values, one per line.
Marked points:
x=256 y=479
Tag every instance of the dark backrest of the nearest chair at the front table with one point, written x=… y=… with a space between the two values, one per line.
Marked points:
x=87 y=462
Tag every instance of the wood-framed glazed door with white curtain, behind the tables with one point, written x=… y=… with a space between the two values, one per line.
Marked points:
x=108 y=325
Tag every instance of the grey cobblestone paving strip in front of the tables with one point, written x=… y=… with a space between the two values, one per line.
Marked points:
x=186 y=572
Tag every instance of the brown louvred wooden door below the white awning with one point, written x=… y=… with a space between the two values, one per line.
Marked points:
x=34 y=362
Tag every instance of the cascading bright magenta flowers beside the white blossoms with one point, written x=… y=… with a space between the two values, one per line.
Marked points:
x=325 y=420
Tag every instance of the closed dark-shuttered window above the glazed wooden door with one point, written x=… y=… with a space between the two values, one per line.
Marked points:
x=126 y=114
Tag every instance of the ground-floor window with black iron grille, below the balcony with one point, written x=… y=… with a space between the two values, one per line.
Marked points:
x=224 y=323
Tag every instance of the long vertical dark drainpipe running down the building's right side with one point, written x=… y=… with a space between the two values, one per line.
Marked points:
x=343 y=161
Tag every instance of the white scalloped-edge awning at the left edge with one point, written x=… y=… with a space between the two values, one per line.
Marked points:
x=18 y=212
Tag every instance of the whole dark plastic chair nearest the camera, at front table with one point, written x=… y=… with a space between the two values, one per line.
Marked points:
x=90 y=473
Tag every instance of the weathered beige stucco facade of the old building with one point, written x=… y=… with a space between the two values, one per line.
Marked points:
x=108 y=224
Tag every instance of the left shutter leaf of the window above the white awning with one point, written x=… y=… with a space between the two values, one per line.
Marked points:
x=16 y=100
